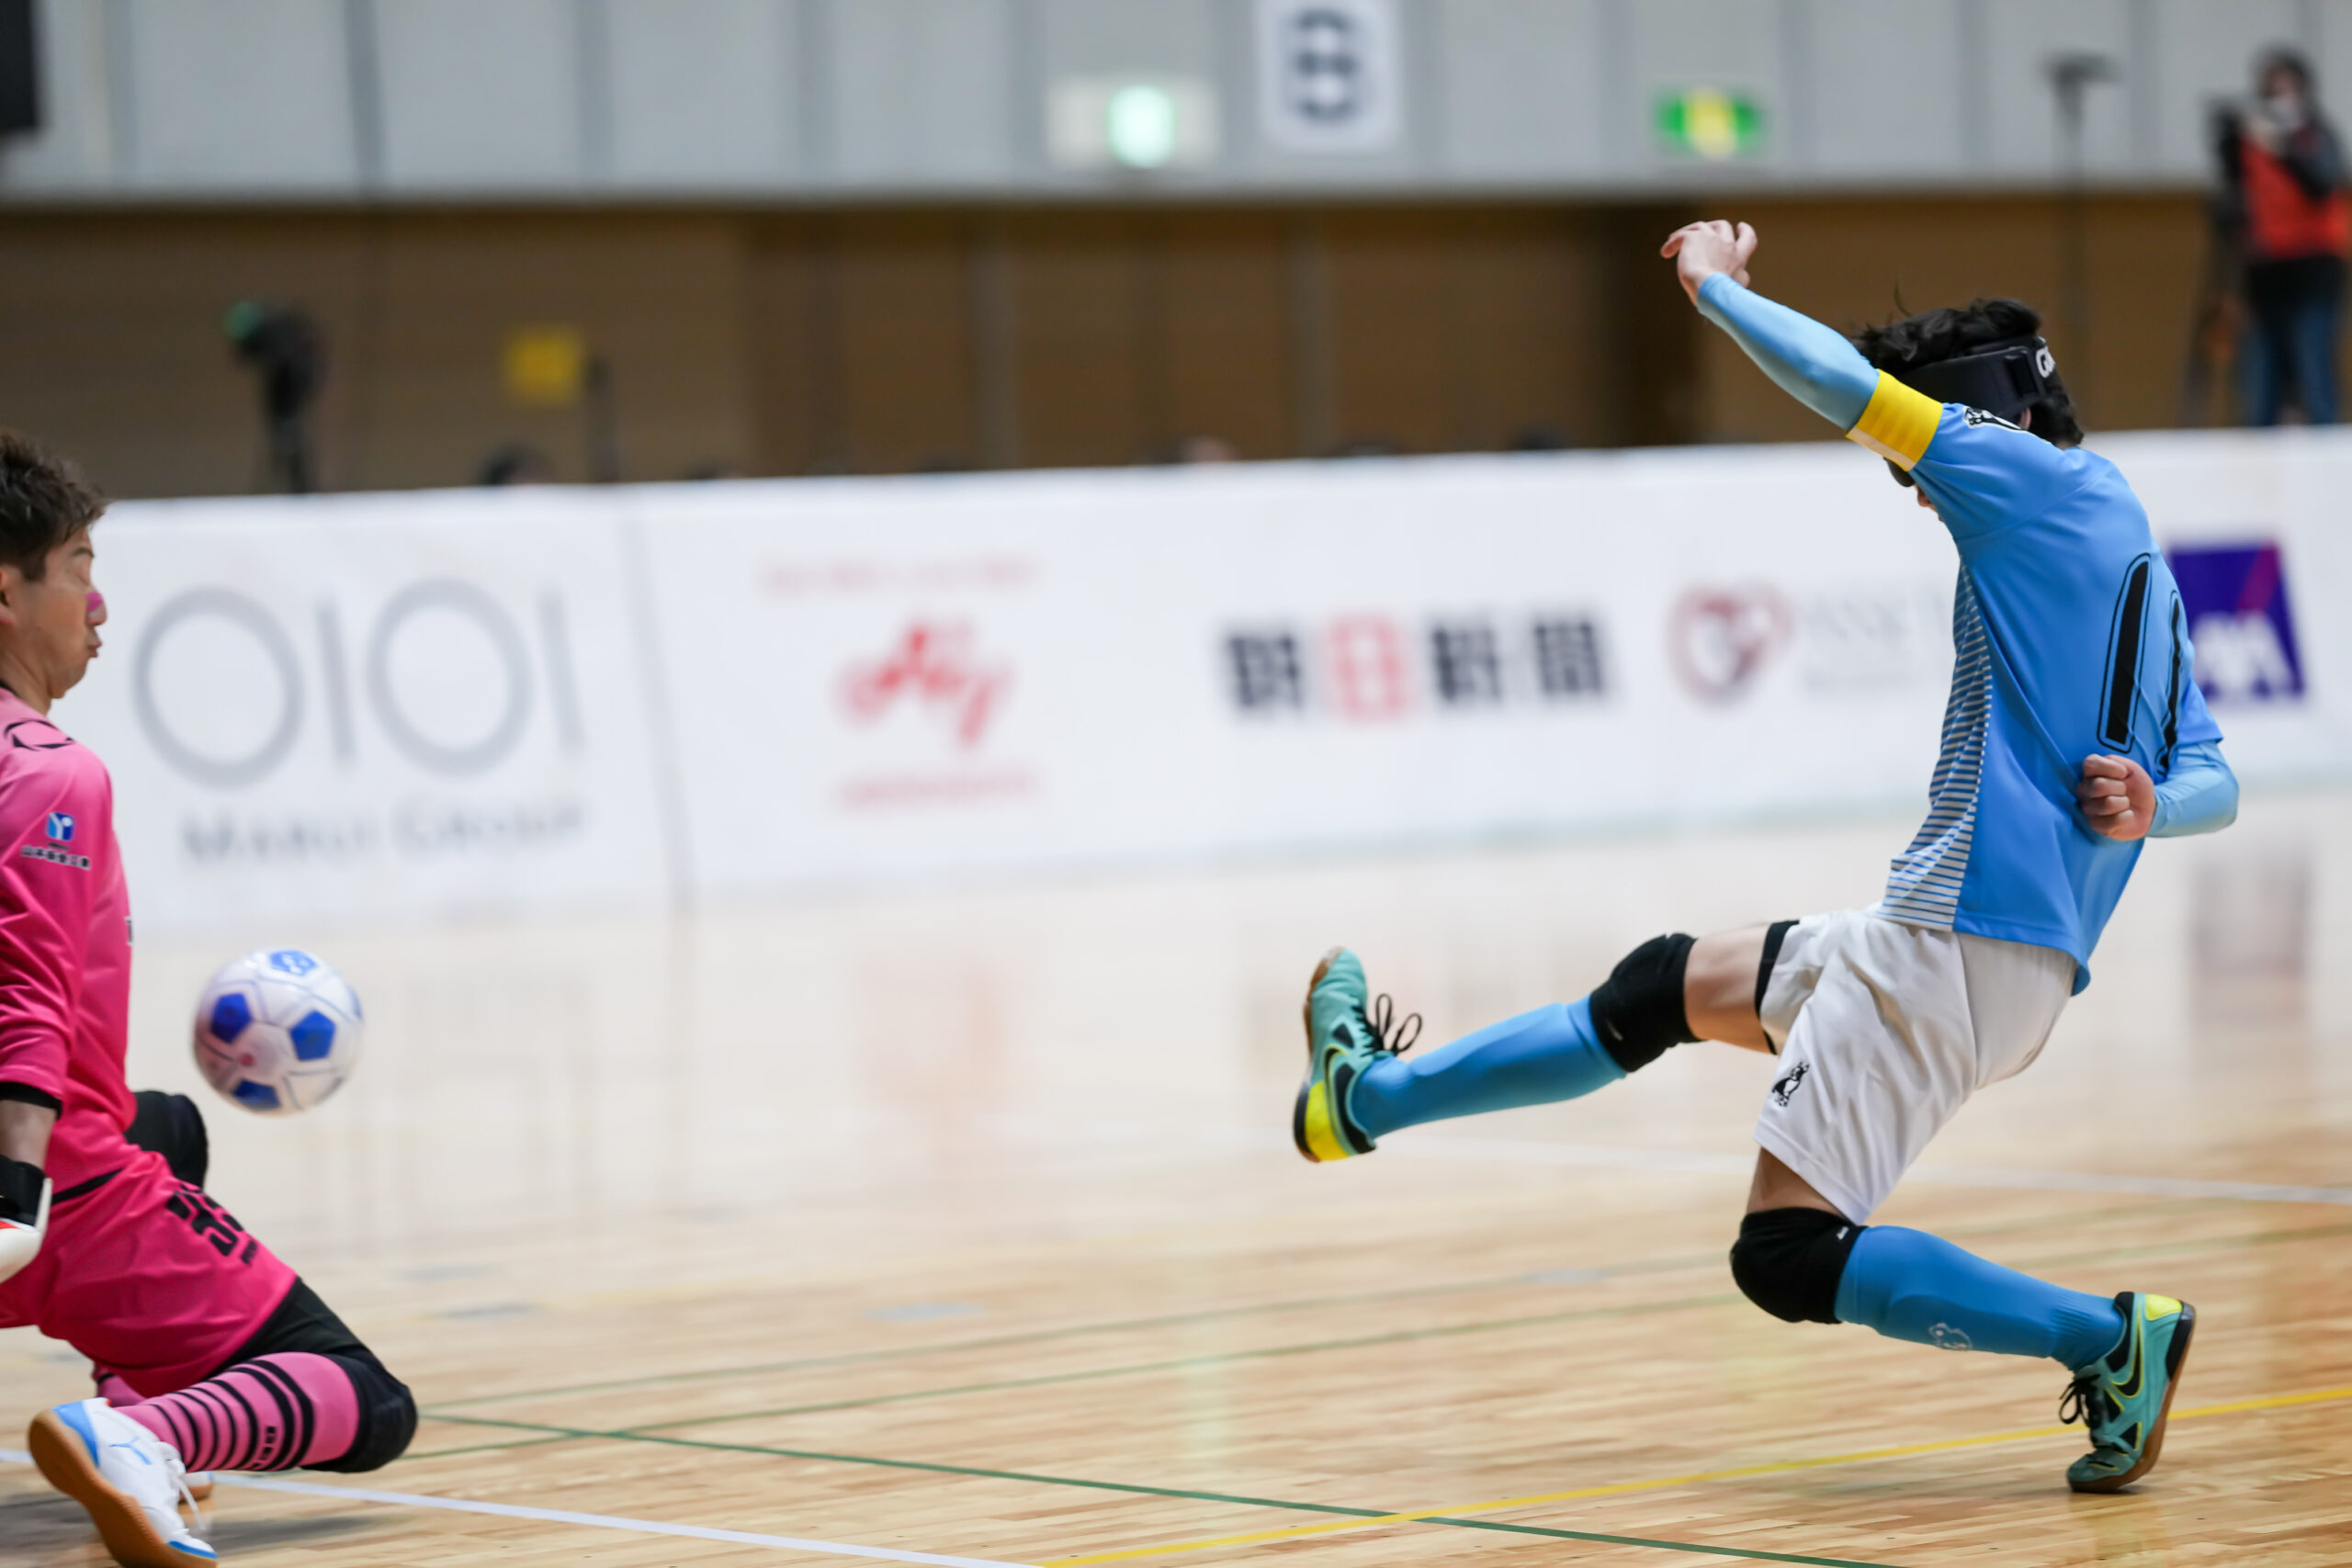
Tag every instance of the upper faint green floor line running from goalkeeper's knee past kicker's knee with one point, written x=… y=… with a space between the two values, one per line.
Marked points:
x=1212 y=1315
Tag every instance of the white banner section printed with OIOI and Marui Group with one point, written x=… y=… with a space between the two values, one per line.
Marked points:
x=373 y=706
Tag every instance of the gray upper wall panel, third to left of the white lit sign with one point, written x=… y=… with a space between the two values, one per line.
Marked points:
x=481 y=93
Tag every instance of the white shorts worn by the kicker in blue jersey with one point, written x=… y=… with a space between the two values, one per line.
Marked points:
x=1885 y=1031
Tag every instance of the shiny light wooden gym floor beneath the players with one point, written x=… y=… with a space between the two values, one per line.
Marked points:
x=965 y=1228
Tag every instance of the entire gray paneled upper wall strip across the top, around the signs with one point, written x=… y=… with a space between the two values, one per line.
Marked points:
x=810 y=98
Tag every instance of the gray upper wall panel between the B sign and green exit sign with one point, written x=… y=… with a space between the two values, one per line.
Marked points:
x=1523 y=88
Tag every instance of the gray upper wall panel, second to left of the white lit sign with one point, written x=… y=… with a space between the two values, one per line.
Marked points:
x=704 y=93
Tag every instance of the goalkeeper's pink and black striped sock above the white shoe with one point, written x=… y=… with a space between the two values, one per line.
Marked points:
x=267 y=1414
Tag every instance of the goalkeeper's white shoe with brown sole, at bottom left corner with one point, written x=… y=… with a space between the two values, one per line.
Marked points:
x=128 y=1477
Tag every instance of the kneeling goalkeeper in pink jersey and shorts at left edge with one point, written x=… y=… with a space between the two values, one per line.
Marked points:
x=208 y=1351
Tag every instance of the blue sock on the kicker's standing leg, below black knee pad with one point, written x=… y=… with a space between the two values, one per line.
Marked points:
x=1918 y=1287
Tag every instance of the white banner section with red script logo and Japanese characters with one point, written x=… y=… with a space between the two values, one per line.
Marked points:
x=1027 y=671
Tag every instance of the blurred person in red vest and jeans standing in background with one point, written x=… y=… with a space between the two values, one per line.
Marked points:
x=2285 y=180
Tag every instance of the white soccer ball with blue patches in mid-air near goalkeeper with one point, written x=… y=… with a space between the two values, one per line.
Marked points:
x=279 y=1031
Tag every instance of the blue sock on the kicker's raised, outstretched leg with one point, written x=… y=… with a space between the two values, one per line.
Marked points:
x=1532 y=1059
